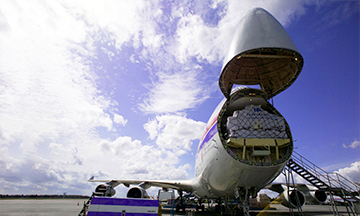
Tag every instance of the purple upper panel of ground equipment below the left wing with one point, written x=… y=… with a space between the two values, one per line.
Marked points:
x=127 y=201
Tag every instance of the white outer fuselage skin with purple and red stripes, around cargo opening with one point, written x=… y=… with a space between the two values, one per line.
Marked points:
x=218 y=174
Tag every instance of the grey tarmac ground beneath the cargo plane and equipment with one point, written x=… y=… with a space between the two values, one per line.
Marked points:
x=57 y=207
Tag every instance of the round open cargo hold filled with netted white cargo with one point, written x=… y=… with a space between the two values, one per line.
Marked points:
x=252 y=130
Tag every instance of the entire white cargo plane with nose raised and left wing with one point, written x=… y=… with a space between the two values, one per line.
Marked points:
x=247 y=142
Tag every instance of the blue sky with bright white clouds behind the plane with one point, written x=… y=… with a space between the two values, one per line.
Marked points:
x=123 y=89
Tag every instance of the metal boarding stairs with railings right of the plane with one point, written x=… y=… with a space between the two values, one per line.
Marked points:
x=334 y=183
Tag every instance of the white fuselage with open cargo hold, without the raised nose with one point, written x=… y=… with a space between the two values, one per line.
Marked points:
x=250 y=155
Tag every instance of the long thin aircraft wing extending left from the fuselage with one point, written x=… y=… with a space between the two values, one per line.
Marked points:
x=185 y=185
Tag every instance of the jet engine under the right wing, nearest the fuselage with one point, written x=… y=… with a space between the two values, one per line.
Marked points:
x=289 y=198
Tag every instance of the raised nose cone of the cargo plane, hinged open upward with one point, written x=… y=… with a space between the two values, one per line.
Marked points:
x=261 y=53
